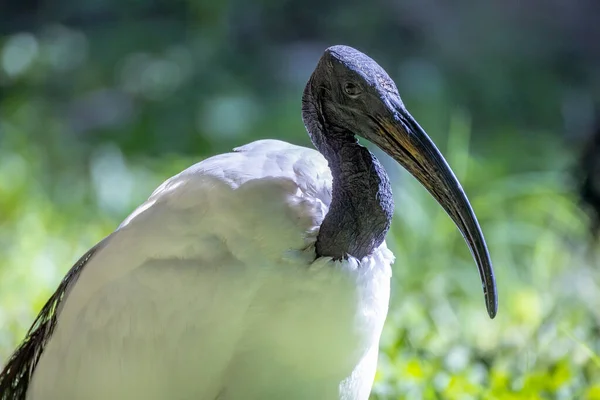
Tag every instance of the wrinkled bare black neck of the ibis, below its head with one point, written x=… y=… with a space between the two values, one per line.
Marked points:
x=361 y=208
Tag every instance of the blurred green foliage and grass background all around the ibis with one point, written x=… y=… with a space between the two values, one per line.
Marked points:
x=101 y=100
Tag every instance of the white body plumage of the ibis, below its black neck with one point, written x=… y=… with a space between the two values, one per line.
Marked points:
x=210 y=290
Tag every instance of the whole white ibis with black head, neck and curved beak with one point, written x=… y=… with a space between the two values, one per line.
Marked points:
x=262 y=273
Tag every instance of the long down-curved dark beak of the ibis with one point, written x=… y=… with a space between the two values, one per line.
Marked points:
x=401 y=137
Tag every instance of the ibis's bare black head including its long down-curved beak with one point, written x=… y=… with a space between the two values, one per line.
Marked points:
x=349 y=92
